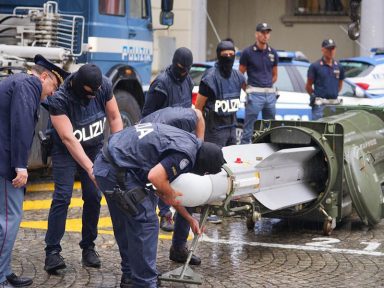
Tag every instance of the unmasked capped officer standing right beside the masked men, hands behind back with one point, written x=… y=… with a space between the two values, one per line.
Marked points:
x=260 y=62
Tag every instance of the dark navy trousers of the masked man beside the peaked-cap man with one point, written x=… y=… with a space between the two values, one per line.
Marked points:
x=64 y=170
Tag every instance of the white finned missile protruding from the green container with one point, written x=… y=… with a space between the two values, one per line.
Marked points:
x=276 y=178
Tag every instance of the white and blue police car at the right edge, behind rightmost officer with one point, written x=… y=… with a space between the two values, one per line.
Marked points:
x=367 y=72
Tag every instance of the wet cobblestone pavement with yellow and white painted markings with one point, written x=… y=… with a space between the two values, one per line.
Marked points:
x=275 y=254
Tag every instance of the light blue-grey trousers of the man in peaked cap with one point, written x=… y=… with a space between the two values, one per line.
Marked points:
x=11 y=212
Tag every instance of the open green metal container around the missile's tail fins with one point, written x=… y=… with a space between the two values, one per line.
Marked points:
x=350 y=163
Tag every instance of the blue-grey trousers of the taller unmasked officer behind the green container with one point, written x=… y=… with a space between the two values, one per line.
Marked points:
x=256 y=102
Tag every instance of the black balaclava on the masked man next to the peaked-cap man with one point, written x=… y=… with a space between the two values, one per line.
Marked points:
x=89 y=75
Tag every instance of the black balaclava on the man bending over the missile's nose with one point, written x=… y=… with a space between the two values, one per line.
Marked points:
x=209 y=159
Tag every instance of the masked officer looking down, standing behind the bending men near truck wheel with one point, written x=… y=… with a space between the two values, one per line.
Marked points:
x=171 y=88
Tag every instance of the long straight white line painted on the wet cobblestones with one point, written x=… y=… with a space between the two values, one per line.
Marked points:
x=205 y=238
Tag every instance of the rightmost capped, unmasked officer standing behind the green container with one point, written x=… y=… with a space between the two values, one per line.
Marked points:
x=325 y=80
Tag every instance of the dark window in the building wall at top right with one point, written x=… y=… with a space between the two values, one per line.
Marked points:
x=316 y=11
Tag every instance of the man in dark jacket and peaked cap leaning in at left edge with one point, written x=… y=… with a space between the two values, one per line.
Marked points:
x=20 y=100
